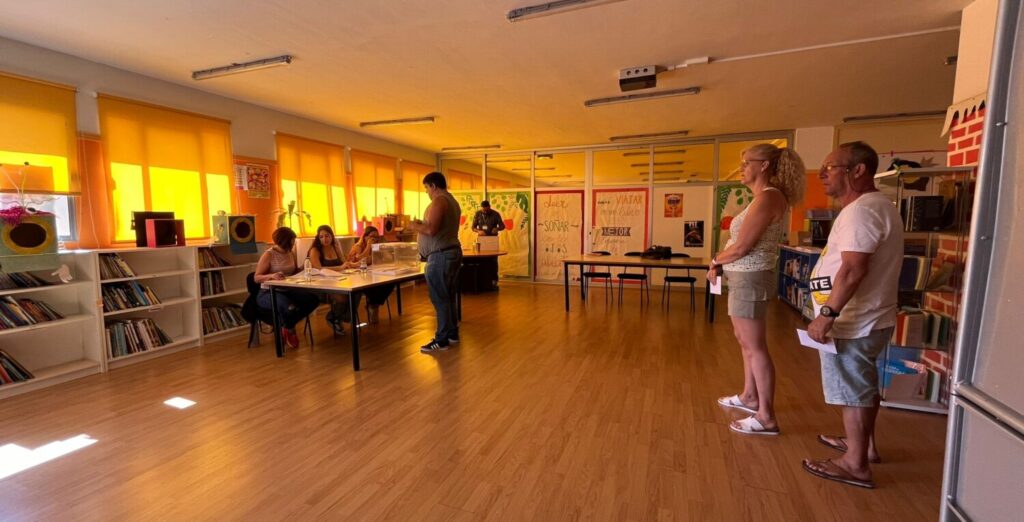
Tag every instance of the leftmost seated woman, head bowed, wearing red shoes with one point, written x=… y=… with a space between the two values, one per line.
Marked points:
x=276 y=265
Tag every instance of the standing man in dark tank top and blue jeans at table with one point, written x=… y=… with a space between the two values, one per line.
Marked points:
x=439 y=241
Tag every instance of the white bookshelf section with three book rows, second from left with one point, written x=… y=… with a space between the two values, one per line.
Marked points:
x=172 y=276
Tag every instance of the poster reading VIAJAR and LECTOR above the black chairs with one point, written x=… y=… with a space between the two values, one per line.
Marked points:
x=620 y=221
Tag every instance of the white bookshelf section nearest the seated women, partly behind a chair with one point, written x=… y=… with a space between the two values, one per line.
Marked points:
x=223 y=289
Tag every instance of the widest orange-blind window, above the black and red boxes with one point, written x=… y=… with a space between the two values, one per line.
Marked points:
x=165 y=160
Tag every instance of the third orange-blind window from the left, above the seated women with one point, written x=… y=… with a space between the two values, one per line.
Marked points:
x=313 y=176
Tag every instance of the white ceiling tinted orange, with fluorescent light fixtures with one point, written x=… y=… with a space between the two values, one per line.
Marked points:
x=523 y=85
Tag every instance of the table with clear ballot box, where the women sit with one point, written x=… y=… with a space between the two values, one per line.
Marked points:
x=354 y=286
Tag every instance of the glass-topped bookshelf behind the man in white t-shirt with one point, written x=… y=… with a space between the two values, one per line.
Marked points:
x=935 y=202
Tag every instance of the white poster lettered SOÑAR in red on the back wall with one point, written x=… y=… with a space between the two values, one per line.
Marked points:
x=560 y=232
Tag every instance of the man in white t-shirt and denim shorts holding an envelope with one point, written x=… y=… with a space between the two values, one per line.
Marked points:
x=855 y=290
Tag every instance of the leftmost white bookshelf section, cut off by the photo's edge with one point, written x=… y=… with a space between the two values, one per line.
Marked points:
x=56 y=352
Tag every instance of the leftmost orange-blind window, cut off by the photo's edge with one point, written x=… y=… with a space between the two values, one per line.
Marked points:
x=39 y=128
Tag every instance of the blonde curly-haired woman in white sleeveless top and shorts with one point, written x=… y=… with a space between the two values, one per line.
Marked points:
x=778 y=179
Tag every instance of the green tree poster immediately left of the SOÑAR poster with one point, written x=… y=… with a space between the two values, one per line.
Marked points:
x=515 y=209
